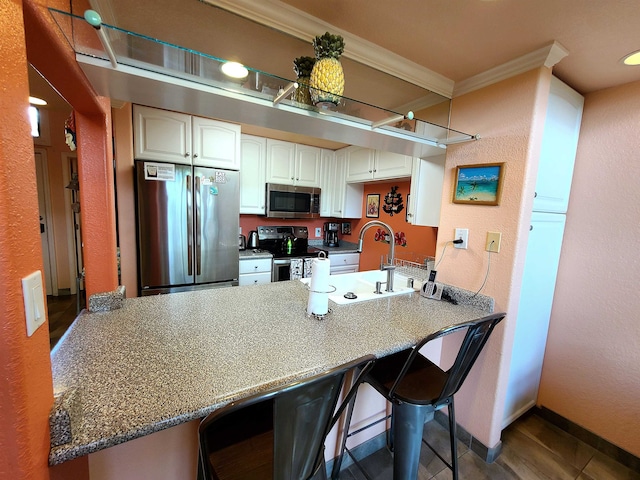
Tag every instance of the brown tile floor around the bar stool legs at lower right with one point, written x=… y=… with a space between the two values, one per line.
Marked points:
x=532 y=449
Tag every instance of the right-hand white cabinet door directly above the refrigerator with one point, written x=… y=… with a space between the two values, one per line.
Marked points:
x=216 y=144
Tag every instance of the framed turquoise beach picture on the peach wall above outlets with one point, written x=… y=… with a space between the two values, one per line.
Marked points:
x=479 y=184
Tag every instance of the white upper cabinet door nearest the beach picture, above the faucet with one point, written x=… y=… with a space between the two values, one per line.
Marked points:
x=427 y=182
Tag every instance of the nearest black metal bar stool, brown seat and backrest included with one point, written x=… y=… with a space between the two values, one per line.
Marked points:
x=278 y=434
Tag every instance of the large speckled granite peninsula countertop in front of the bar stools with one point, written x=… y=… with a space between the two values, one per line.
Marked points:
x=167 y=359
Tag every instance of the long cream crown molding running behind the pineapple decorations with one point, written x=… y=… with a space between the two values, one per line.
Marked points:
x=282 y=17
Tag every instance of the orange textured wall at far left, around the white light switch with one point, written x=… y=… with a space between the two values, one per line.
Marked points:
x=26 y=392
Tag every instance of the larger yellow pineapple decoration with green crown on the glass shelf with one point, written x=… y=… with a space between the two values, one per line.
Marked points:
x=327 y=78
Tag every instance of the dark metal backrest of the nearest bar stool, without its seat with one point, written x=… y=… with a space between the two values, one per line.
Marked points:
x=300 y=415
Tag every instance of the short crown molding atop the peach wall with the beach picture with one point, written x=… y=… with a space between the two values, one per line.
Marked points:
x=547 y=56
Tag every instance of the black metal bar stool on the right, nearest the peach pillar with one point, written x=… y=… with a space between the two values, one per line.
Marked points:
x=416 y=387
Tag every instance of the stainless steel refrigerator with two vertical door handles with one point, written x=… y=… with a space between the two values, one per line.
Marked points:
x=187 y=227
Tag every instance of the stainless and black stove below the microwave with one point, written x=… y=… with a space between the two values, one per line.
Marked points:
x=292 y=254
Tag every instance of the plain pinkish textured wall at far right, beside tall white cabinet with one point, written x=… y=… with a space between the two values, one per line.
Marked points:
x=591 y=371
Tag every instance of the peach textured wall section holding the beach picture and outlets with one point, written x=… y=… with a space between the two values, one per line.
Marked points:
x=509 y=117
